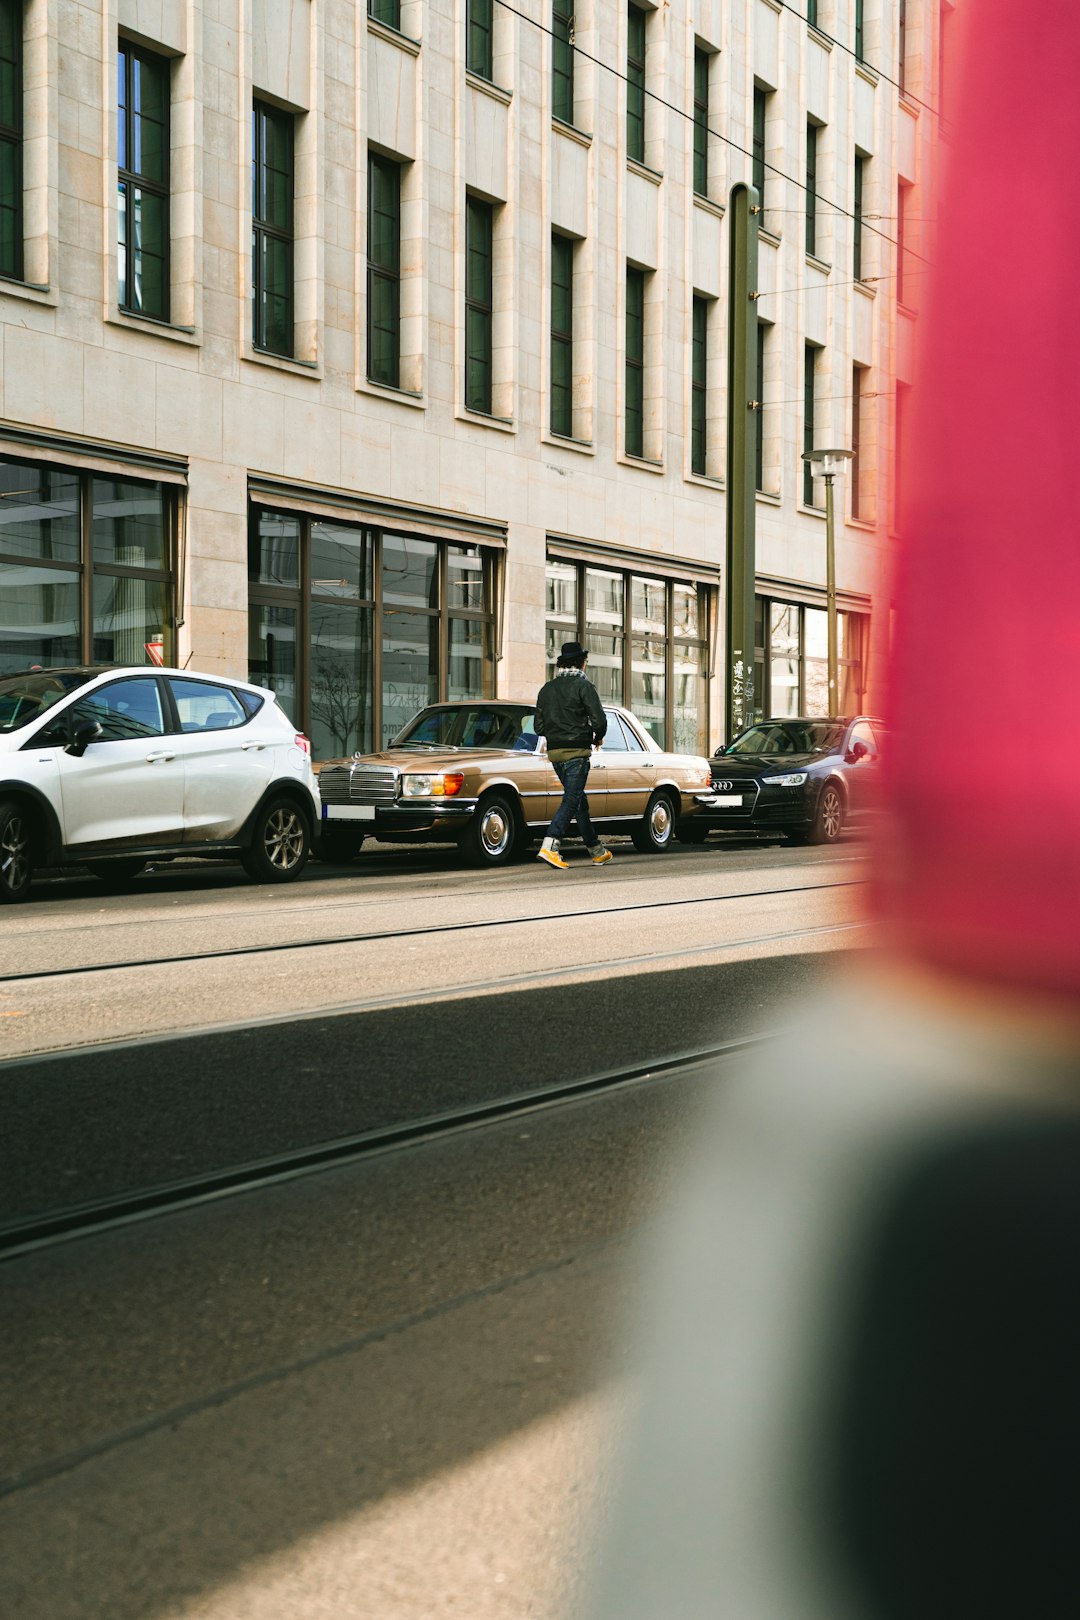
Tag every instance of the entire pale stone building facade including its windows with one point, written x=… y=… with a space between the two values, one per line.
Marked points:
x=372 y=354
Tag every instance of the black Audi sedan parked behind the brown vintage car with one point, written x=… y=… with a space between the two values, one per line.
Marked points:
x=806 y=778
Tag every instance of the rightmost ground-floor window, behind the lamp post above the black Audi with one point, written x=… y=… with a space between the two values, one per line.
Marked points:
x=793 y=660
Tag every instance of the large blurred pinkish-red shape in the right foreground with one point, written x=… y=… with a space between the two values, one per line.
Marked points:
x=987 y=654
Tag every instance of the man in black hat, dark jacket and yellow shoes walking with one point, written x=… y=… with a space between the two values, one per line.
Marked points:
x=572 y=717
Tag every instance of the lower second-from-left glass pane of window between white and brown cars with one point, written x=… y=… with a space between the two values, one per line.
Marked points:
x=341 y=665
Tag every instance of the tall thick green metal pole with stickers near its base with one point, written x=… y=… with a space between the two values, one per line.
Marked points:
x=742 y=440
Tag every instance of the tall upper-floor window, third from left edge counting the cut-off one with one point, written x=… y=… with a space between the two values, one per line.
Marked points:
x=273 y=168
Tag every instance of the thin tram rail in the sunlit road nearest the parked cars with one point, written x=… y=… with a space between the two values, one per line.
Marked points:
x=459 y=926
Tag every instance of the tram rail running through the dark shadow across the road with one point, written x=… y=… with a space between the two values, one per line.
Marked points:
x=91 y=1219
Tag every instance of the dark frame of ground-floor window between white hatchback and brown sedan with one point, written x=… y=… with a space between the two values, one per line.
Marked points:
x=302 y=595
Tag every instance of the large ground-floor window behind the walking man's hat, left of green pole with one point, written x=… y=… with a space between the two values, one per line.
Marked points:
x=648 y=641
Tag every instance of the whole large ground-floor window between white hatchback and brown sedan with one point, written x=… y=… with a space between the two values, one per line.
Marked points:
x=357 y=628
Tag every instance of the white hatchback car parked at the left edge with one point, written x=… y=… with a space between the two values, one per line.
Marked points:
x=113 y=767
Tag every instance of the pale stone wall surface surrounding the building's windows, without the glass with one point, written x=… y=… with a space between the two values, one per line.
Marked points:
x=75 y=365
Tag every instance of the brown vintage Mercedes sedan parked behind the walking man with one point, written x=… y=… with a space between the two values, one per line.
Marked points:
x=478 y=774
